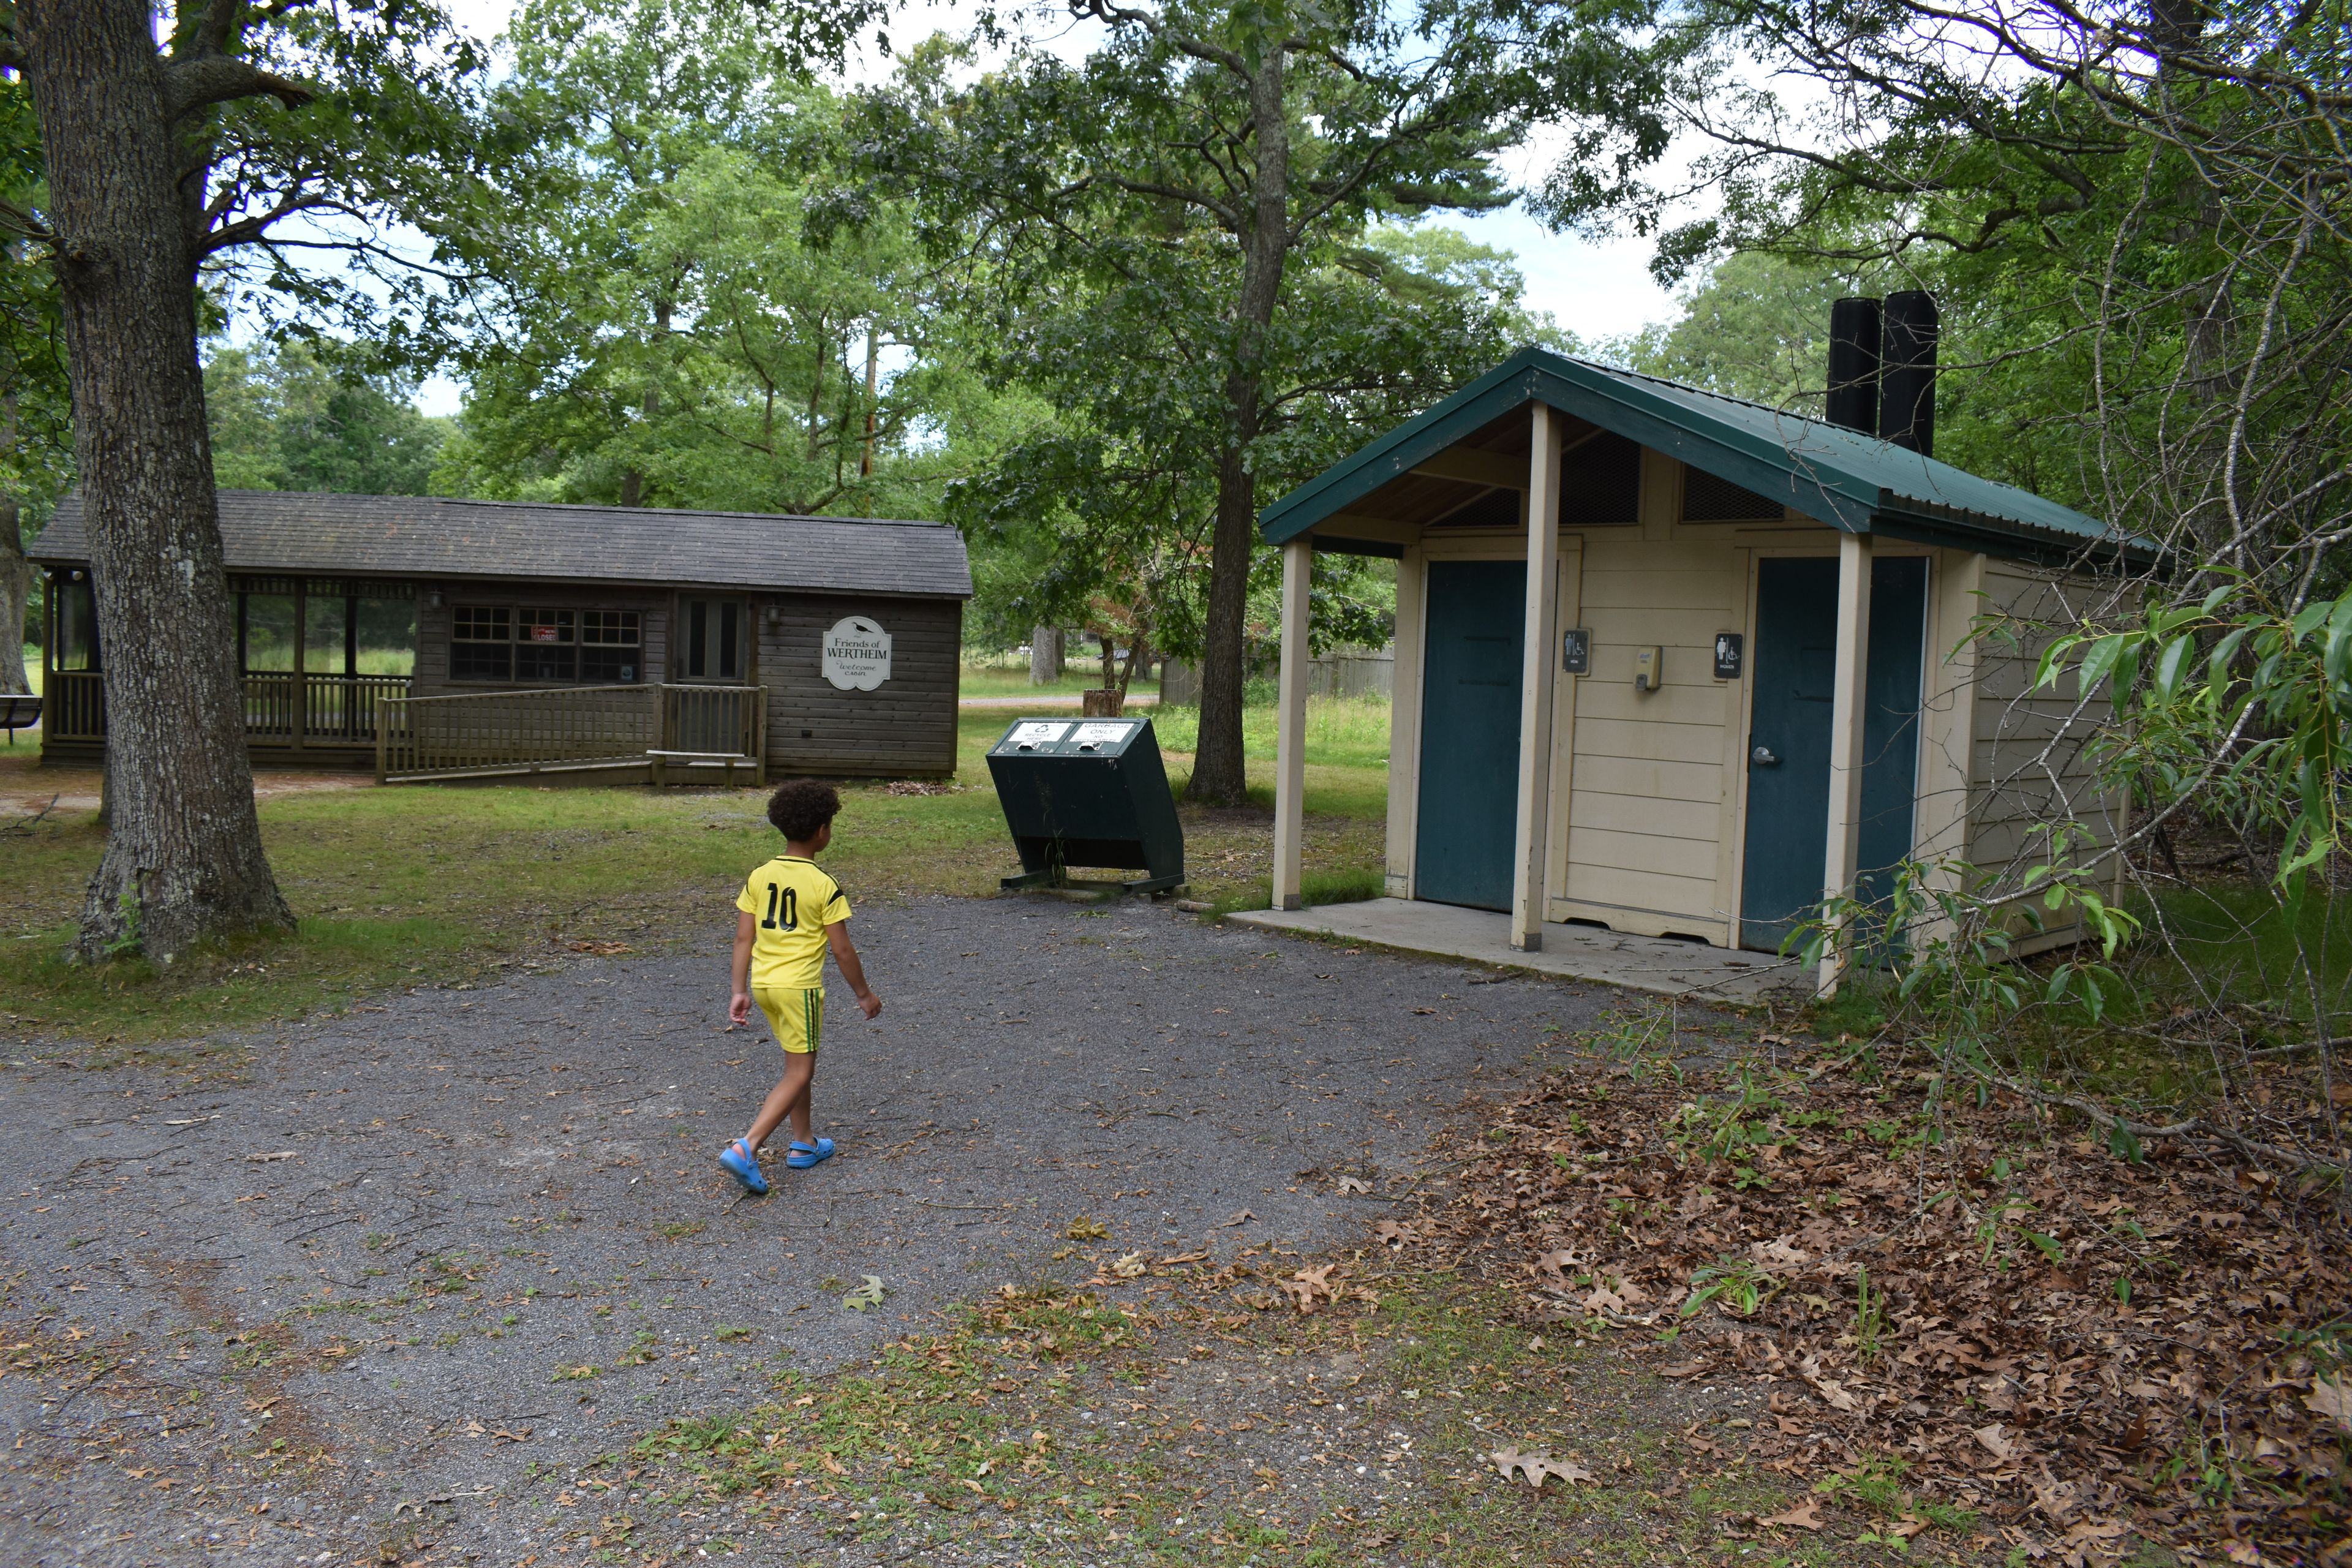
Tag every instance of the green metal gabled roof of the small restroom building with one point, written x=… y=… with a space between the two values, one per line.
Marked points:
x=1843 y=478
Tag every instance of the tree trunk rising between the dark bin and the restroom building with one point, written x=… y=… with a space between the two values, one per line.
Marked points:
x=1217 y=768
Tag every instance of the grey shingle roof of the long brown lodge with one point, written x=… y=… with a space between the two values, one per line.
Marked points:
x=425 y=537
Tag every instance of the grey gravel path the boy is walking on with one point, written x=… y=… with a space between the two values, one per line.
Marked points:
x=356 y=1275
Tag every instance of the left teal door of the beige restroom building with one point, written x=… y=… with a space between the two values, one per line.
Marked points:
x=1471 y=732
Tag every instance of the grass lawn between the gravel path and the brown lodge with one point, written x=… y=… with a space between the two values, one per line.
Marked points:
x=427 y=885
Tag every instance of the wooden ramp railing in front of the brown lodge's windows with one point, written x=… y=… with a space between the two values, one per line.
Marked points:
x=493 y=735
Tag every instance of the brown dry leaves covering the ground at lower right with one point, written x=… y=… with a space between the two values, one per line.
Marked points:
x=2031 y=1325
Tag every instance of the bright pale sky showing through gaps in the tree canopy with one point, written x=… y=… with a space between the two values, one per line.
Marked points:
x=1593 y=288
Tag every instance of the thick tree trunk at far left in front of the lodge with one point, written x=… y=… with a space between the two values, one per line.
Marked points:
x=185 y=847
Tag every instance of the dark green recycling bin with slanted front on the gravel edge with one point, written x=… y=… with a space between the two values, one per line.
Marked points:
x=1088 y=793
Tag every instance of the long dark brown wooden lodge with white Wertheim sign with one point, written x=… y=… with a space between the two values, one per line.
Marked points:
x=432 y=638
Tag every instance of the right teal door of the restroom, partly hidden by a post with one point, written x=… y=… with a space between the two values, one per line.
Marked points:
x=1789 y=737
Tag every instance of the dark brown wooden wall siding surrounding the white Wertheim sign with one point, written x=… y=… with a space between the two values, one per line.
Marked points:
x=902 y=728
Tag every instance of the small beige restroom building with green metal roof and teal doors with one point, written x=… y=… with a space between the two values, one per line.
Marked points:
x=1676 y=664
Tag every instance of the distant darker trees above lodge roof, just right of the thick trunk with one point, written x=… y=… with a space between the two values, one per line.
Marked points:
x=312 y=417
